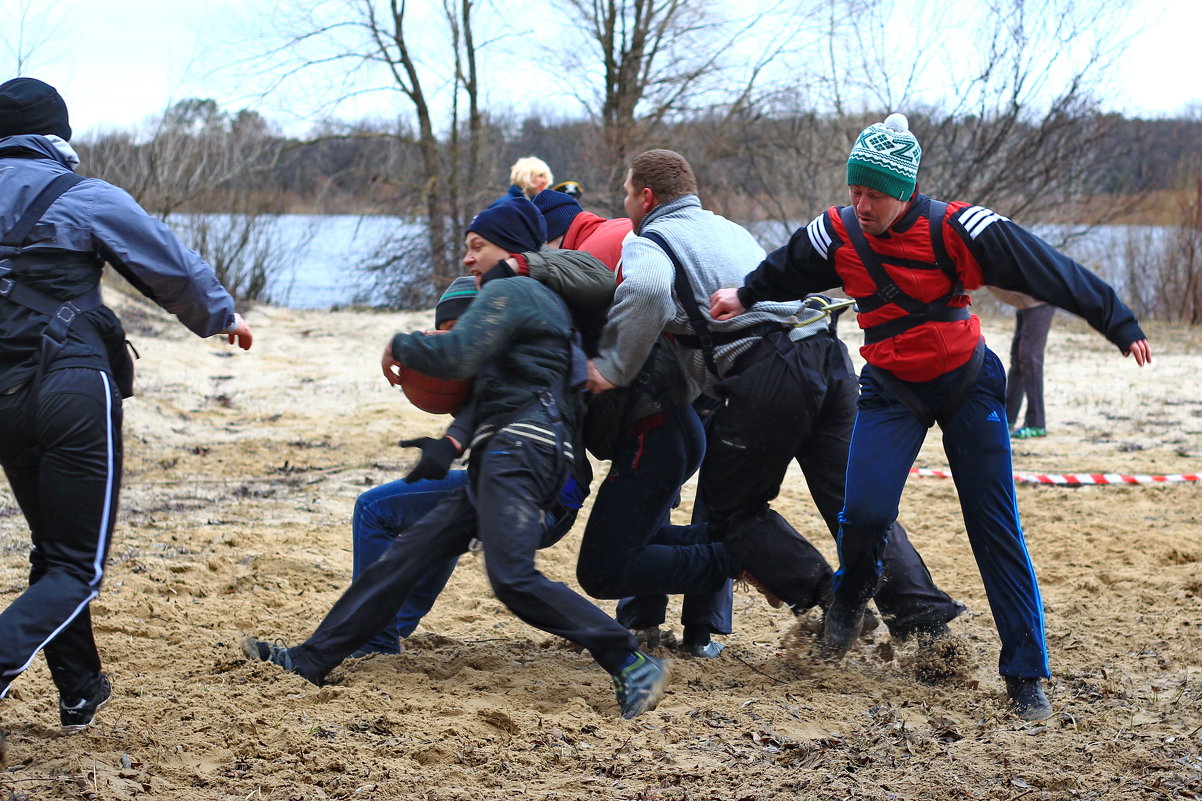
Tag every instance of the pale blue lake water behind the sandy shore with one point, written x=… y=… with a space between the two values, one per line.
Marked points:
x=323 y=257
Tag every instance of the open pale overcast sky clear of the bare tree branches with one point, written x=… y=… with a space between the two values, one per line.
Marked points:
x=121 y=62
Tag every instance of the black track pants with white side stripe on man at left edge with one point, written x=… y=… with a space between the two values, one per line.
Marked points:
x=63 y=459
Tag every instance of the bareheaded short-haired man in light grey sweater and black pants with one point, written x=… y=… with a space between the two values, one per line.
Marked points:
x=787 y=394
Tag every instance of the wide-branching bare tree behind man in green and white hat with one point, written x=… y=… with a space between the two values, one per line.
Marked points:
x=1016 y=124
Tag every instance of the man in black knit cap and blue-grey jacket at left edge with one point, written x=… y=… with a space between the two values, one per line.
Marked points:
x=64 y=371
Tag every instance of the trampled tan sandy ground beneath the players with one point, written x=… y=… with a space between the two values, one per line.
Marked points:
x=242 y=471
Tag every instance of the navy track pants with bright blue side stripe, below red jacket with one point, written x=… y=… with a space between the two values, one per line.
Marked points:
x=977 y=441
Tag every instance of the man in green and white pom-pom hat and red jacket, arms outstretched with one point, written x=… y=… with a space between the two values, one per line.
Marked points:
x=927 y=363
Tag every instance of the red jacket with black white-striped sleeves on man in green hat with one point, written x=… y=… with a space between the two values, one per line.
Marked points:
x=985 y=248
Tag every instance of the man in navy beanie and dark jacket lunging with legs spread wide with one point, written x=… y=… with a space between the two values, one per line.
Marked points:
x=516 y=342
